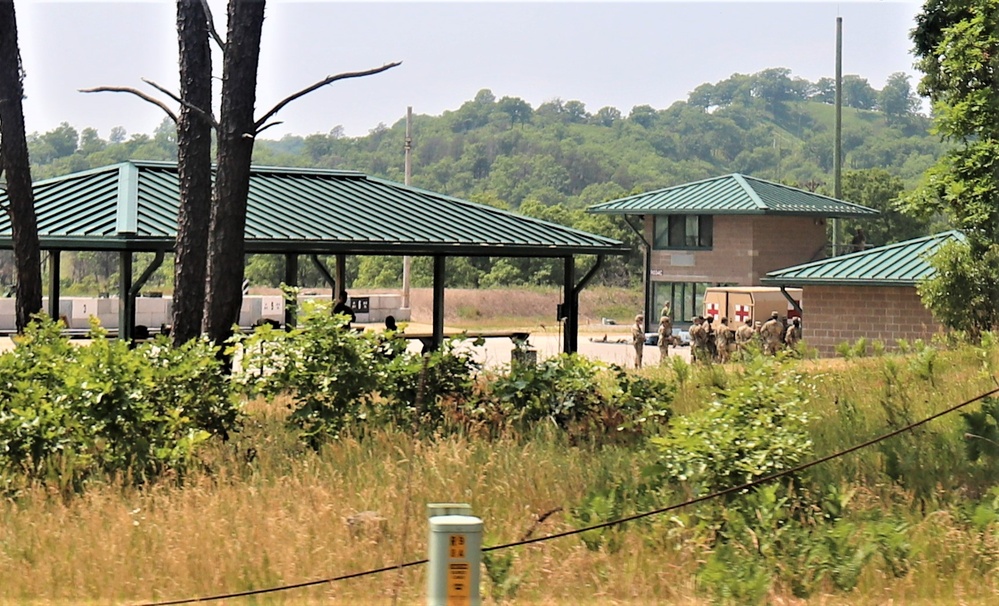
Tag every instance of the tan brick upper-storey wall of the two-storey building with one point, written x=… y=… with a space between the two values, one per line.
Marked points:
x=745 y=249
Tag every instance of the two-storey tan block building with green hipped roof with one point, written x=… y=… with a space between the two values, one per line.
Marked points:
x=726 y=231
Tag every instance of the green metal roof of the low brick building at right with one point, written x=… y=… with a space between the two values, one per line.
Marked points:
x=899 y=264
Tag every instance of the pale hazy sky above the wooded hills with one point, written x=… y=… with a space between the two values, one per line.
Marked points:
x=601 y=53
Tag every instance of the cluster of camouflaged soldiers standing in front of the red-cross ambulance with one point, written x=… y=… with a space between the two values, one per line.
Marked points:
x=717 y=343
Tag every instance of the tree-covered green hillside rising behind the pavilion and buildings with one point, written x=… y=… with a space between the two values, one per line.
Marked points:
x=553 y=160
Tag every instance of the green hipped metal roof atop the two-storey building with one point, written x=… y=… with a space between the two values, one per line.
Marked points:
x=733 y=194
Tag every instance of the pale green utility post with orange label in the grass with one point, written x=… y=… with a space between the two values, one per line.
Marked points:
x=455 y=556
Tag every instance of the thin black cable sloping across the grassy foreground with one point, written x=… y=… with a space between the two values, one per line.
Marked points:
x=567 y=533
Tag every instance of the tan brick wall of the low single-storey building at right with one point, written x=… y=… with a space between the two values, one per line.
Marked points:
x=834 y=314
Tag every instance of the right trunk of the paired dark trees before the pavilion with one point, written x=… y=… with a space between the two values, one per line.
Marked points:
x=232 y=181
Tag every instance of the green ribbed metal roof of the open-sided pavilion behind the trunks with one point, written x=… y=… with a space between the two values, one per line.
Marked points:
x=133 y=205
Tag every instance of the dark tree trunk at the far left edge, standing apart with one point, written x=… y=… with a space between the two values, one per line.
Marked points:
x=14 y=157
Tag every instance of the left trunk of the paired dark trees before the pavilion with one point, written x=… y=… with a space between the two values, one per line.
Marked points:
x=194 y=170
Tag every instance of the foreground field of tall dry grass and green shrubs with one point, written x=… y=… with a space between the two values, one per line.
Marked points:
x=295 y=493
